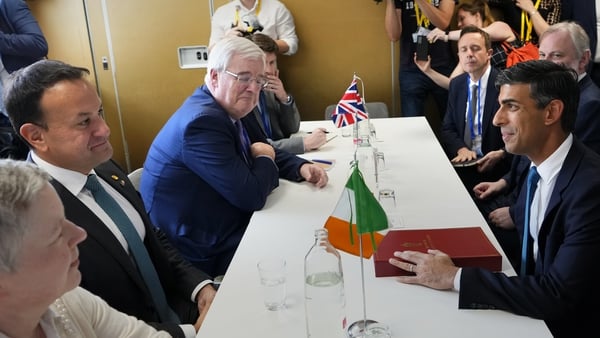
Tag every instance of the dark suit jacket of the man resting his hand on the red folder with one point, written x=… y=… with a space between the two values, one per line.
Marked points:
x=563 y=289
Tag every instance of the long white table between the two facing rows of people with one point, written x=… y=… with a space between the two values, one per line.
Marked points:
x=429 y=194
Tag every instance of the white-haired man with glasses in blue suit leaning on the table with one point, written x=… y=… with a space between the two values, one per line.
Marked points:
x=210 y=166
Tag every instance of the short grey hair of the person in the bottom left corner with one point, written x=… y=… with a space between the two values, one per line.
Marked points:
x=20 y=184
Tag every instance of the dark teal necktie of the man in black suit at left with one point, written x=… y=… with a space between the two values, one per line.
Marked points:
x=136 y=247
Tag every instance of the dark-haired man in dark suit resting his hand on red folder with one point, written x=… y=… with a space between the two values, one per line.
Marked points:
x=538 y=104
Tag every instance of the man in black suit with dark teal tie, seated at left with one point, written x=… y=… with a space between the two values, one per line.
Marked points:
x=59 y=114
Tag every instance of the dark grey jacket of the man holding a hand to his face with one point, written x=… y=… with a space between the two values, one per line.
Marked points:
x=284 y=121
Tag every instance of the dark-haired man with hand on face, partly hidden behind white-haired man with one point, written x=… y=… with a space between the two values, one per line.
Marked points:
x=276 y=112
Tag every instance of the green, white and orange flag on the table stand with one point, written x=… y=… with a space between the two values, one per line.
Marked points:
x=357 y=213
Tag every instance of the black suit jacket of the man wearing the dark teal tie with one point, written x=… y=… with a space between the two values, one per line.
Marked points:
x=108 y=271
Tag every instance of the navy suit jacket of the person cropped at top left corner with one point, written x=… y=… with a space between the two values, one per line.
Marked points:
x=21 y=40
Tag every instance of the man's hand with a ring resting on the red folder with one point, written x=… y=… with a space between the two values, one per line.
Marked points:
x=433 y=269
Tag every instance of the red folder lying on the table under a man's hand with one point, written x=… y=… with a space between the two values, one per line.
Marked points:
x=468 y=247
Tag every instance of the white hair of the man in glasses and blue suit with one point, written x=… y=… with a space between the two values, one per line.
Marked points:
x=225 y=49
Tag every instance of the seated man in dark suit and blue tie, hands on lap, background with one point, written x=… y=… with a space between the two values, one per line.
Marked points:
x=467 y=131
